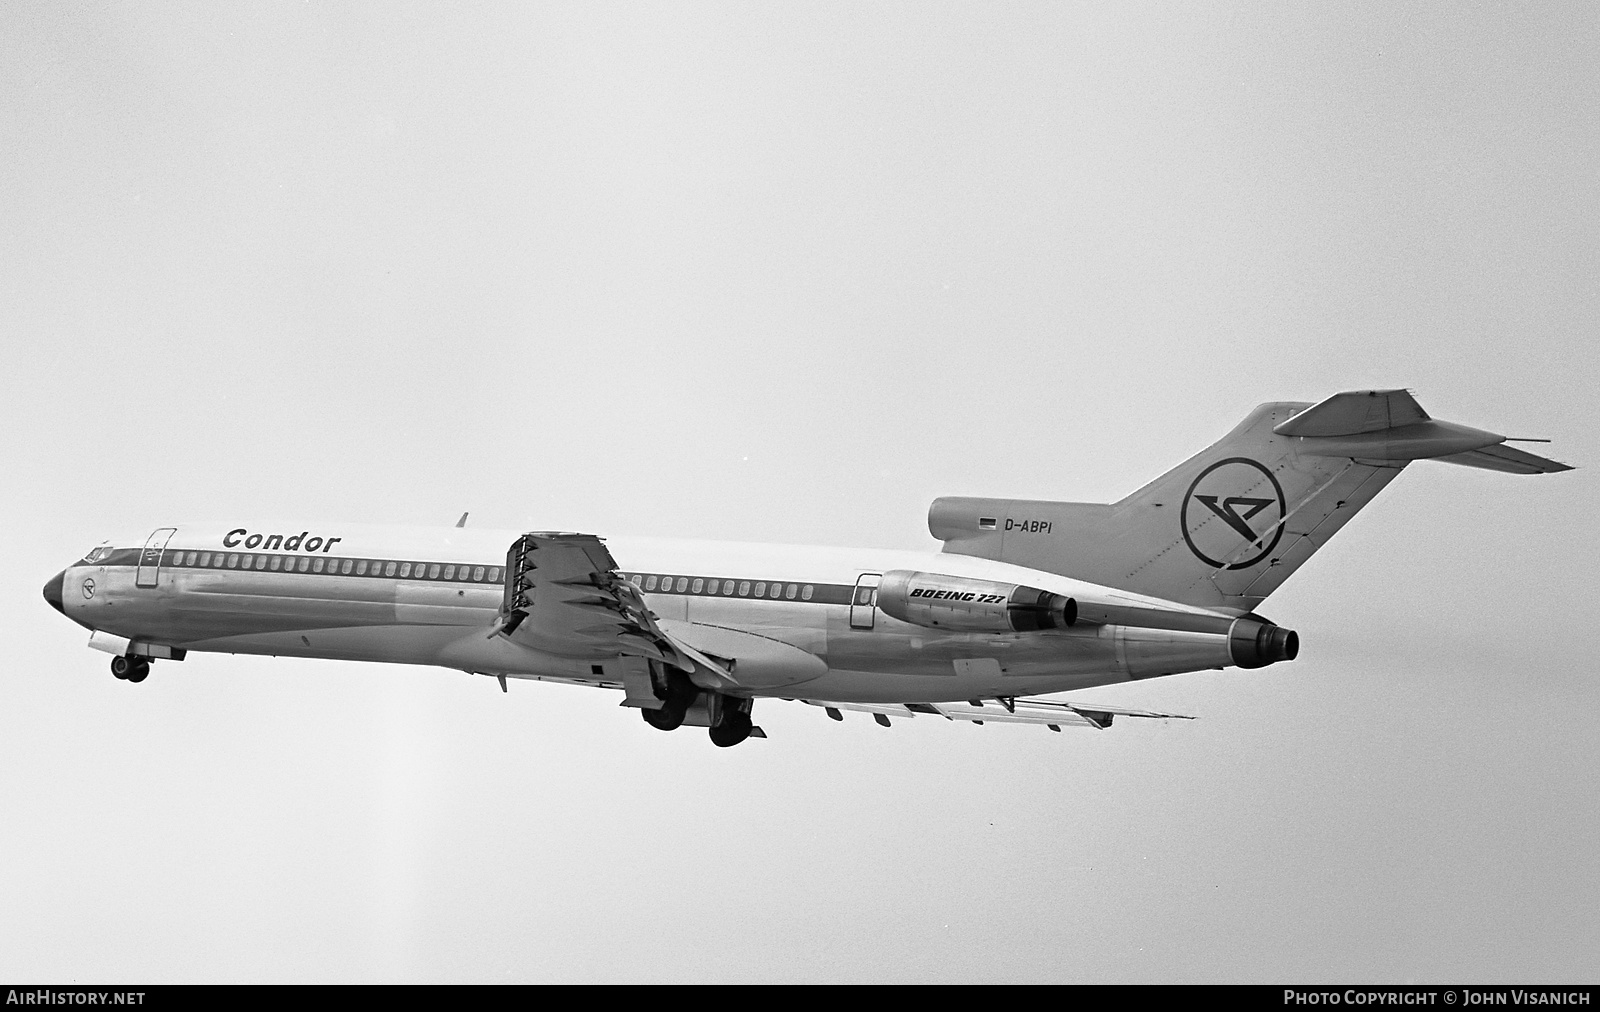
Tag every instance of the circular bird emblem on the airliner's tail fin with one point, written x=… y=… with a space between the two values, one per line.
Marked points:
x=1233 y=513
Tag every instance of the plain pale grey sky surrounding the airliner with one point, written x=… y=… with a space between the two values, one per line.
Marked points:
x=786 y=275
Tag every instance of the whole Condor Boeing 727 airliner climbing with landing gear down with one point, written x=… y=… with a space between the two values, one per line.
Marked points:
x=1026 y=598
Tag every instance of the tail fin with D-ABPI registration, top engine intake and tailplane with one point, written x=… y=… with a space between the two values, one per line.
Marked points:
x=1231 y=524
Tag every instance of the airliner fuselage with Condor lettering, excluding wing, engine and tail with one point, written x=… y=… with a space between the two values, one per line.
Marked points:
x=431 y=596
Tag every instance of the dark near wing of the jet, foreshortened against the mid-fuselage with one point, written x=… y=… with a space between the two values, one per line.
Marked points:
x=564 y=596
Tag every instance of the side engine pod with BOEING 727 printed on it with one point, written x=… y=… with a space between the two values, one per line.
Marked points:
x=972 y=606
